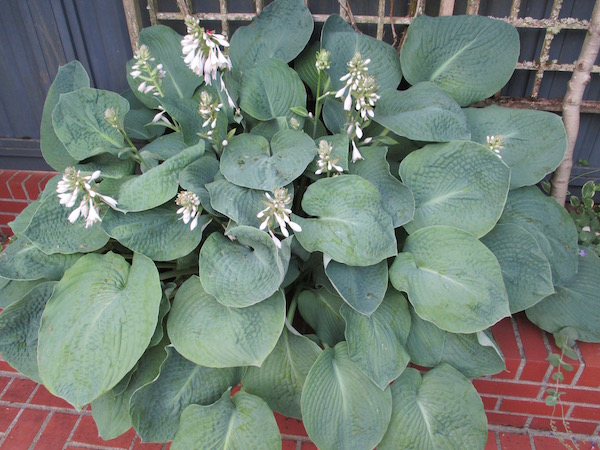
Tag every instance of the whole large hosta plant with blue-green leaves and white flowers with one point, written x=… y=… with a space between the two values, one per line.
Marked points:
x=276 y=218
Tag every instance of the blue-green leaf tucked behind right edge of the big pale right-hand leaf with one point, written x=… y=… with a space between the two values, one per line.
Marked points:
x=525 y=269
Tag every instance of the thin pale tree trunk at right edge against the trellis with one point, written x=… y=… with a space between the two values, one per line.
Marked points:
x=572 y=103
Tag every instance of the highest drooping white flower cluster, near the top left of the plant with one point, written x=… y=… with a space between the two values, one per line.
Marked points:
x=202 y=50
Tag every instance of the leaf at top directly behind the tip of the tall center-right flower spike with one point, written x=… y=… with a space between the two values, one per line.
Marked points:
x=343 y=42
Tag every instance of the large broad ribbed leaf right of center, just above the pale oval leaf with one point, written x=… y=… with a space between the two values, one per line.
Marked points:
x=460 y=184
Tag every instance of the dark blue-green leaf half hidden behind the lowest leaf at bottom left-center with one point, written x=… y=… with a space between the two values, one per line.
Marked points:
x=157 y=406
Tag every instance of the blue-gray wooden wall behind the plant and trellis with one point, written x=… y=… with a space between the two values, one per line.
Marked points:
x=37 y=36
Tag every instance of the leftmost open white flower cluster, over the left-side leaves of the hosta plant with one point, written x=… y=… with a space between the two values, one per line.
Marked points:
x=72 y=184
